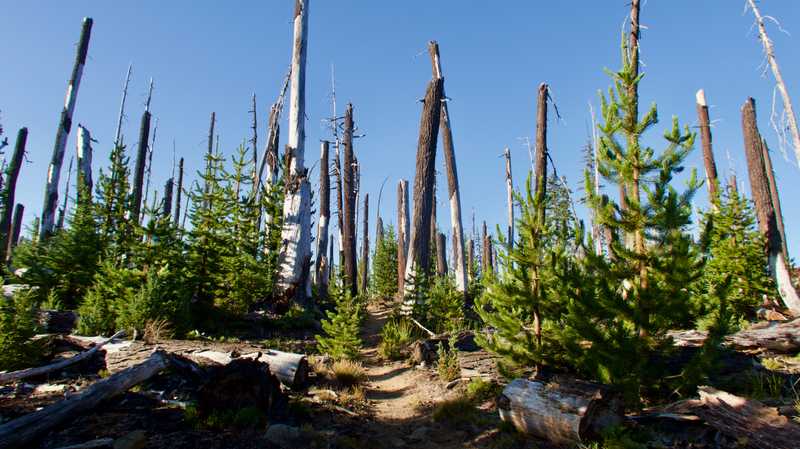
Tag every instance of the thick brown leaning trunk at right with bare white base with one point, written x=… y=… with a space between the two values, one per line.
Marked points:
x=765 y=209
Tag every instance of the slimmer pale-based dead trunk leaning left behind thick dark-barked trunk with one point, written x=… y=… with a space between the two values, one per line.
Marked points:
x=448 y=149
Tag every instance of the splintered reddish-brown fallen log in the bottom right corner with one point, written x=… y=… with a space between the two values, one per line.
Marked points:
x=747 y=421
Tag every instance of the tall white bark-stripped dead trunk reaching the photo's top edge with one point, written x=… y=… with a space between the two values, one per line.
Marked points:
x=295 y=255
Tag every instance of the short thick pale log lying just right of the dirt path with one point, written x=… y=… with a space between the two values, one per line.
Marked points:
x=564 y=411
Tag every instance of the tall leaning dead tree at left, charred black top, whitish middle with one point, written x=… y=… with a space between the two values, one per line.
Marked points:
x=47 y=223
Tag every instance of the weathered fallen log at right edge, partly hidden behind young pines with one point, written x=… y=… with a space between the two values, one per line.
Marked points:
x=778 y=337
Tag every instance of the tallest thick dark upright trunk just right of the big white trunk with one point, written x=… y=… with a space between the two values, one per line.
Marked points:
x=349 y=204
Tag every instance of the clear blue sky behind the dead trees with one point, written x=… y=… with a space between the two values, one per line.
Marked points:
x=211 y=56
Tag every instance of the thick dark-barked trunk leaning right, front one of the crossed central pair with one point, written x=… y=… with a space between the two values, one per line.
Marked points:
x=418 y=259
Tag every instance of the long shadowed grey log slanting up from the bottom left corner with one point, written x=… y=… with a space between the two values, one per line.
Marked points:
x=26 y=429
